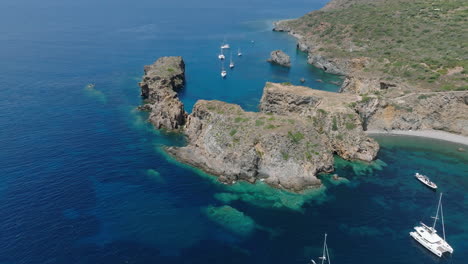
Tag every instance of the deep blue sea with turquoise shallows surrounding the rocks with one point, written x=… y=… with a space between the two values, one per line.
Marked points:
x=84 y=180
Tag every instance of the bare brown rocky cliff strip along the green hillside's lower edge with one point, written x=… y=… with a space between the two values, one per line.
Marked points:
x=388 y=105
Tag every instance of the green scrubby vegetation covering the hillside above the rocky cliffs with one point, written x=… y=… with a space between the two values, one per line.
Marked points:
x=423 y=42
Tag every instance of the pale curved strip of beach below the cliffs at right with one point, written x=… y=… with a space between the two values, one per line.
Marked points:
x=441 y=135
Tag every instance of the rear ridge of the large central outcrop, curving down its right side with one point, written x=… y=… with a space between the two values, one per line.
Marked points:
x=330 y=114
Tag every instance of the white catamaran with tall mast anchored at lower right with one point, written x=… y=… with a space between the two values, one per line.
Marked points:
x=428 y=237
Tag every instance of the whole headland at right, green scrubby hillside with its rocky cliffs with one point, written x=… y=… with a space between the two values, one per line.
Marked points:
x=395 y=95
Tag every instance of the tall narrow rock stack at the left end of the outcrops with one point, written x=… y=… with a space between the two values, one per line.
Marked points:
x=159 y=87
